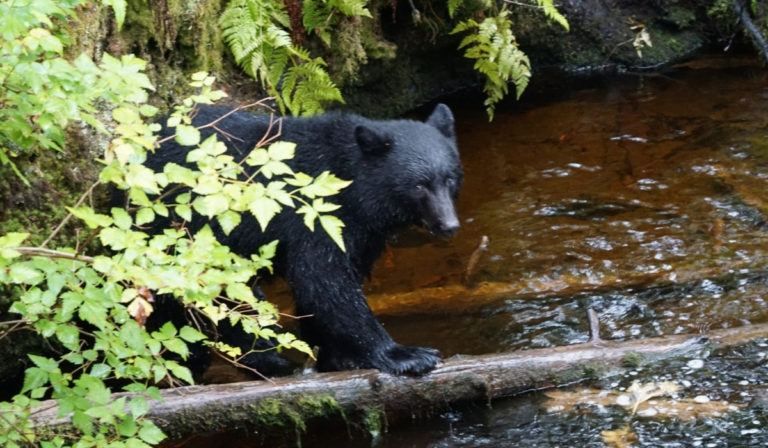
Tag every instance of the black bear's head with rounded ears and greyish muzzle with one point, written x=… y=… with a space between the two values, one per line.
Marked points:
x=418 y=165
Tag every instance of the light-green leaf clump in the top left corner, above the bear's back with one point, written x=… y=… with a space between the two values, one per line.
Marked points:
x=41 y=92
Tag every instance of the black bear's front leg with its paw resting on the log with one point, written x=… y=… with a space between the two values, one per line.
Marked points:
x=340 y=321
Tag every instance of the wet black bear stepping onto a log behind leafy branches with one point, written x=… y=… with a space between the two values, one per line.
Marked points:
x=403 y=172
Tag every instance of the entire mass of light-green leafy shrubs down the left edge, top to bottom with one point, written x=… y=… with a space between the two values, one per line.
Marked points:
x=92 y=308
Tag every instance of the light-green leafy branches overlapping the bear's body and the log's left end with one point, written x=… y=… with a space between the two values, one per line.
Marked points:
x=114 y=293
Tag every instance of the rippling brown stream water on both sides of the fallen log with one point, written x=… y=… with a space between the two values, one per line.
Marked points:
x=644 y=197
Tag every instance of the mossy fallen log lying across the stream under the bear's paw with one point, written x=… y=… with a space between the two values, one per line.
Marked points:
x=369 y=396
